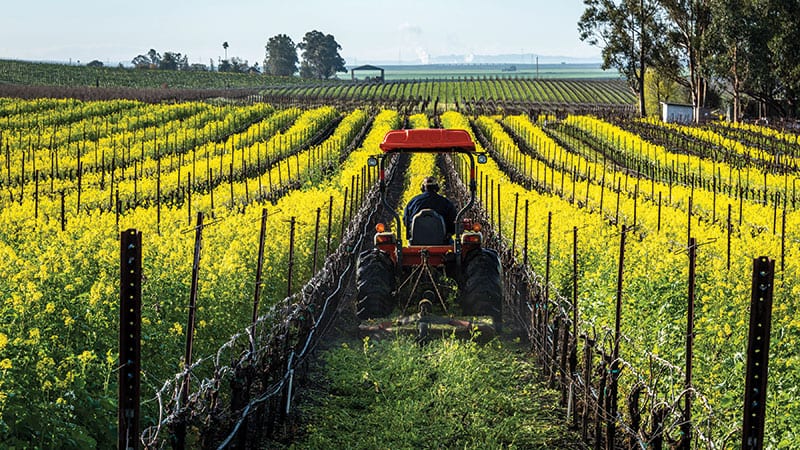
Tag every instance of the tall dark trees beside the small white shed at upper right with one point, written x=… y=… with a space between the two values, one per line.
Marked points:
x=741 y=53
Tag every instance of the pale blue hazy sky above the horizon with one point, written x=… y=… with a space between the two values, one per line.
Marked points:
x=377 y=31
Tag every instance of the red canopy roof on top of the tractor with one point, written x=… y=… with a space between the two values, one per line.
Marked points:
x=428 y=140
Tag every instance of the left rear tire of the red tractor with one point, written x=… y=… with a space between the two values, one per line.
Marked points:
x=375 y=285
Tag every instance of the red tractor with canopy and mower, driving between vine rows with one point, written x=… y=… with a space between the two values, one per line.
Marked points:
x=432 y=266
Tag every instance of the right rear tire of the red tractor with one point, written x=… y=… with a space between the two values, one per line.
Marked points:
x=482 y=286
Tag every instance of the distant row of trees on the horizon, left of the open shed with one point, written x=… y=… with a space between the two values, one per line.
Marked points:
x=320 y=58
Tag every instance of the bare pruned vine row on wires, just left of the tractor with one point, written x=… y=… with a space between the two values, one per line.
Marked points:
x=281 y=323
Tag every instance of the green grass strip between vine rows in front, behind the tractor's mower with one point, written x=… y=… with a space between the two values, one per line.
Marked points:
x=447 y=394
